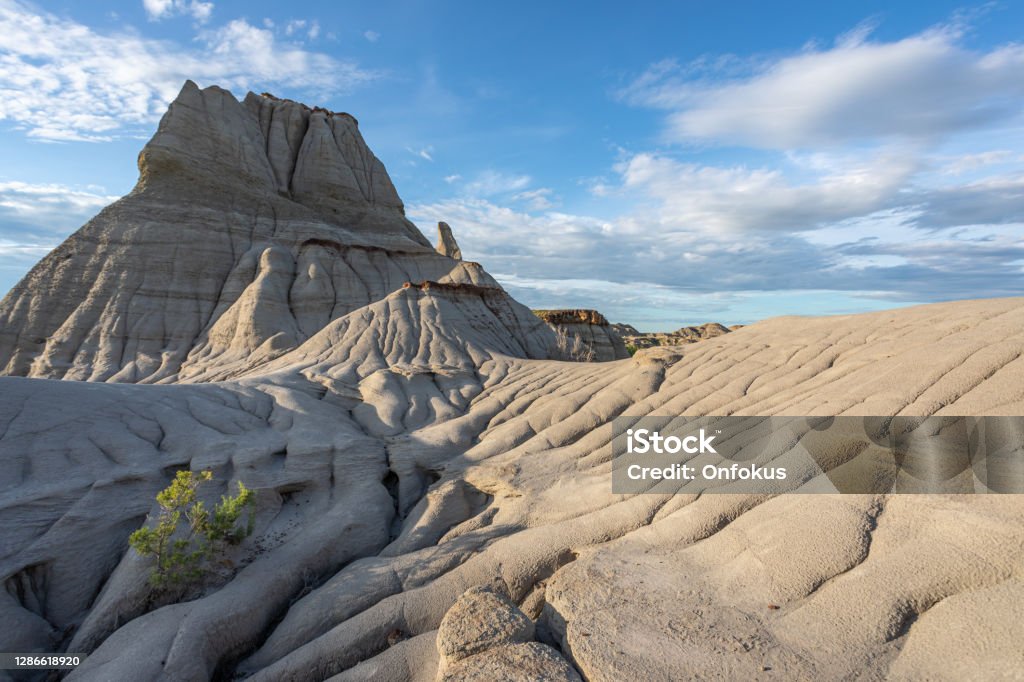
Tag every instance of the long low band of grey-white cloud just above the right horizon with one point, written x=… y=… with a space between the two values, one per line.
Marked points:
x=883 y=259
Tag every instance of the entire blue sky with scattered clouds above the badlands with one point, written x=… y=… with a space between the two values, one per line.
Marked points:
x=668 y=164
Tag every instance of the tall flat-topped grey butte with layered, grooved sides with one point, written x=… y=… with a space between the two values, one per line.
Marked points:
x=252 y=227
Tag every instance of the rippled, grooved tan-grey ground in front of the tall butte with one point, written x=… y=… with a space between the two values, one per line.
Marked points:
x=378 y=509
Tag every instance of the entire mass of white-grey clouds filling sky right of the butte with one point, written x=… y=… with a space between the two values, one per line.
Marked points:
x=874 y=184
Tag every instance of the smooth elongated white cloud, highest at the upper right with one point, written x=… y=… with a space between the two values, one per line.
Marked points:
x=923 y=88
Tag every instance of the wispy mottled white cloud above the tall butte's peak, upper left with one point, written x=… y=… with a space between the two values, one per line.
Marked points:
x=61 y=80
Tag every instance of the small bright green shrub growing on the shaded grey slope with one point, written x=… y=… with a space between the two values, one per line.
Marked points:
x=187 y=537
